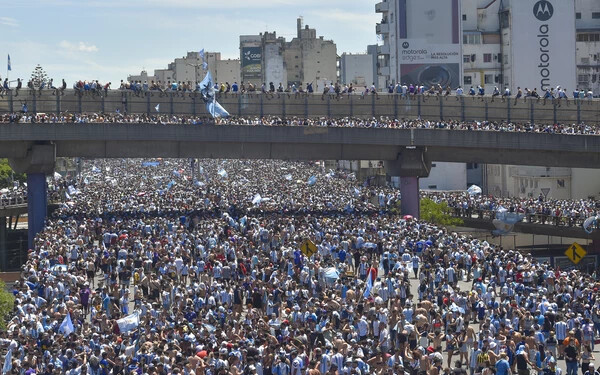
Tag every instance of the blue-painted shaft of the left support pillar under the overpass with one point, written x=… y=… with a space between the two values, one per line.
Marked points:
x=37 y=205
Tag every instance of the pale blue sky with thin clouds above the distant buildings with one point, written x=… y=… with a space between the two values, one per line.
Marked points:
x=109 y=39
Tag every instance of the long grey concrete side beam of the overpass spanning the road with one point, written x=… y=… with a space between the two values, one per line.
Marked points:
x=22 y=141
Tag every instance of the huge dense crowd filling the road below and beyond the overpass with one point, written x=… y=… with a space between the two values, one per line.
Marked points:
x=205 y=267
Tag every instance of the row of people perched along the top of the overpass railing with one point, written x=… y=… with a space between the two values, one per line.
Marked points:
x=337 y=90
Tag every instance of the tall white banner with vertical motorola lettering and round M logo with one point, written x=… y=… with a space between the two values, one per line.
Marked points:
x=543 y=44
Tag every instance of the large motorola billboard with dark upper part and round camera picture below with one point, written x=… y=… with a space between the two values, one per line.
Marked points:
x=430 y=43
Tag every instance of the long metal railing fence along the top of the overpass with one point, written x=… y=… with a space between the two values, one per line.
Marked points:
x=528 y=110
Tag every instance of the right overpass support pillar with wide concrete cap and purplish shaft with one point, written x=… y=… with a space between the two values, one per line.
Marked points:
x=411 y=164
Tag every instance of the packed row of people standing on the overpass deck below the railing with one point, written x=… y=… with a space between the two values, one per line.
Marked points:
x=267 y=120
